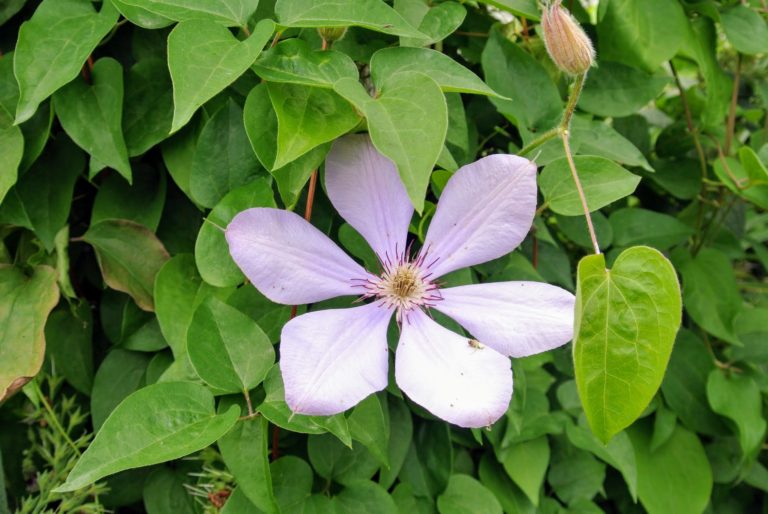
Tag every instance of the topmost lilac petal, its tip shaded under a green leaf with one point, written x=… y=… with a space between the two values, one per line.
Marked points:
x=365 y=188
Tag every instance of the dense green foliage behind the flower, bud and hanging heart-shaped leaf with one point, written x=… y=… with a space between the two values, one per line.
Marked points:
x=110 y=278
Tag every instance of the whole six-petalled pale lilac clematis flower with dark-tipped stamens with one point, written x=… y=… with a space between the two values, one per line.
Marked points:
x=332 y=359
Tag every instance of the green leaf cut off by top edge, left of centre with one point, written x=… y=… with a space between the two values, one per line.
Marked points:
x=230 y=13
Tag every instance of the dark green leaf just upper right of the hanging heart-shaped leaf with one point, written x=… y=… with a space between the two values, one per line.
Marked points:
x=633 y=226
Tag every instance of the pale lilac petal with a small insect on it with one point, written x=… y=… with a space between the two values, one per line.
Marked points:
x=442 y=372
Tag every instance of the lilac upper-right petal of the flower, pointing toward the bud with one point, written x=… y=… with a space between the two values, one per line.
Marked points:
x=485 y=211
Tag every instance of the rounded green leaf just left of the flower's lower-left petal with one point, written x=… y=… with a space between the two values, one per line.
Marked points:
x=228 y=349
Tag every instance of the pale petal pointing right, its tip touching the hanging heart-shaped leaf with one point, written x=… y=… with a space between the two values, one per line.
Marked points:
x=513 y=318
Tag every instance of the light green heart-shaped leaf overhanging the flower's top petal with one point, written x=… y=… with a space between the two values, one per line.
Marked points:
x=407 y=122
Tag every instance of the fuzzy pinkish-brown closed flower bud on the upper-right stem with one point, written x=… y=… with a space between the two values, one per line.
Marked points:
x=567 y=43
